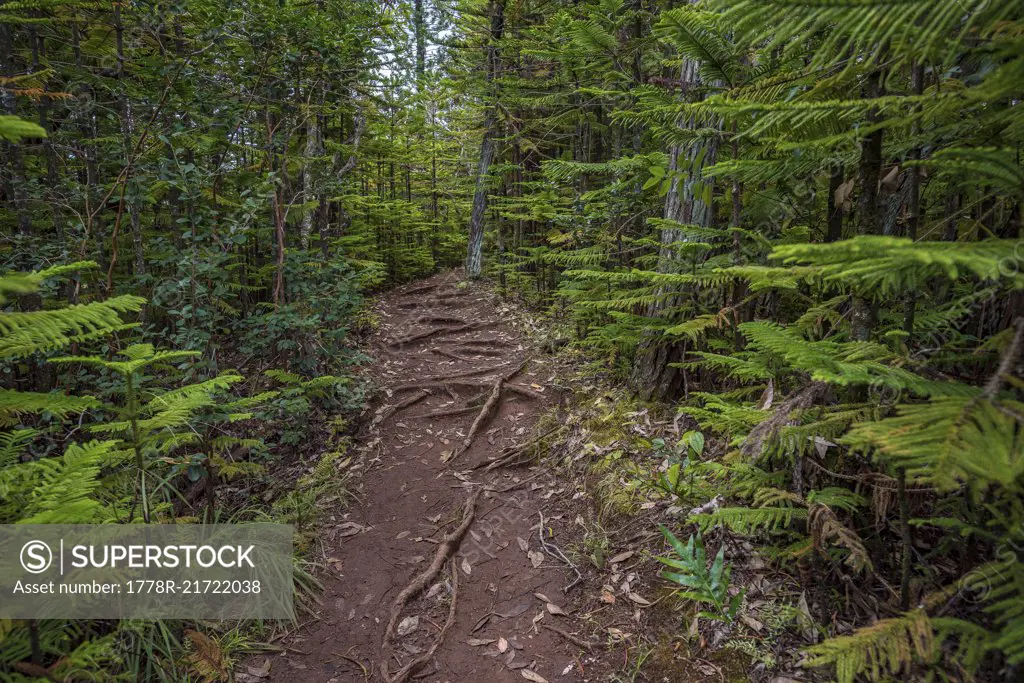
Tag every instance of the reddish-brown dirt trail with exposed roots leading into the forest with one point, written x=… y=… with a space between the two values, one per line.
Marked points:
x=439 y=354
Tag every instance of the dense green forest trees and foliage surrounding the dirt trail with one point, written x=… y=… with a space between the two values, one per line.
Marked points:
x=796 y=224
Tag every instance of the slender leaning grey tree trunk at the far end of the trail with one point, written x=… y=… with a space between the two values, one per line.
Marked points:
x=475 y=252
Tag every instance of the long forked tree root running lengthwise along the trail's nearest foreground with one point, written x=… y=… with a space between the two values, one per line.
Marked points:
x=419 y=584
